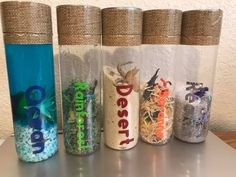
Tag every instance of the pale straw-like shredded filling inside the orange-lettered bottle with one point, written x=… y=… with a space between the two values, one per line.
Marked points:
x=157 y=111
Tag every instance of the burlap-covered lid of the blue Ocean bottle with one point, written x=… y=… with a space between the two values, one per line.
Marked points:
x=26 y=22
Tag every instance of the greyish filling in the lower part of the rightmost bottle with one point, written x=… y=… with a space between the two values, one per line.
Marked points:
x=192 y=112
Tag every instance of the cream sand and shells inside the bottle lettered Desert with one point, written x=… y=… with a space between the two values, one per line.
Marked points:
x=121 y=107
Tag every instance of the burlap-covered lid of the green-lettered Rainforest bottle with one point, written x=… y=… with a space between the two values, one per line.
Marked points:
x=79 y=25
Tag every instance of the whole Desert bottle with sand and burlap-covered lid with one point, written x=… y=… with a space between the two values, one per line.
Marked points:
x=121 y=40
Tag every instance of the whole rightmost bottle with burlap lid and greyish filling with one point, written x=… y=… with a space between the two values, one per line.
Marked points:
x=195 y=75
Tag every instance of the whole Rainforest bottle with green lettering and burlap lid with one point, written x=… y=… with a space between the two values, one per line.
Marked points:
x=79 y=30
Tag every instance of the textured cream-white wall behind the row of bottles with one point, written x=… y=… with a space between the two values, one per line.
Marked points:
x=224 y=107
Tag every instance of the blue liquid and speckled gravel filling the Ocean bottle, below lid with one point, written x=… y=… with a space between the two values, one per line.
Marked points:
x=32 y=90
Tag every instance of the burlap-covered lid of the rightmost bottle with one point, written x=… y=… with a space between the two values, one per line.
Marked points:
x=201 y=27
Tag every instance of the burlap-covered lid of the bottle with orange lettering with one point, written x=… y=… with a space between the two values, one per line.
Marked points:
x=162 y=26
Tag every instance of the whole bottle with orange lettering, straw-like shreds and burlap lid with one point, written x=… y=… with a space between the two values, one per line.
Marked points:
x=161 y=35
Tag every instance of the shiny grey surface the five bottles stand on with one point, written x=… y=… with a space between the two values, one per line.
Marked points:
x=212 y=158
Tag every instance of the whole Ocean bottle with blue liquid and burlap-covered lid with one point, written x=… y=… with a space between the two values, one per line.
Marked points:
x=29 y=55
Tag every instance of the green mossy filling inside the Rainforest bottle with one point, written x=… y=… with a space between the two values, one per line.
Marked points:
x=91 y=122
